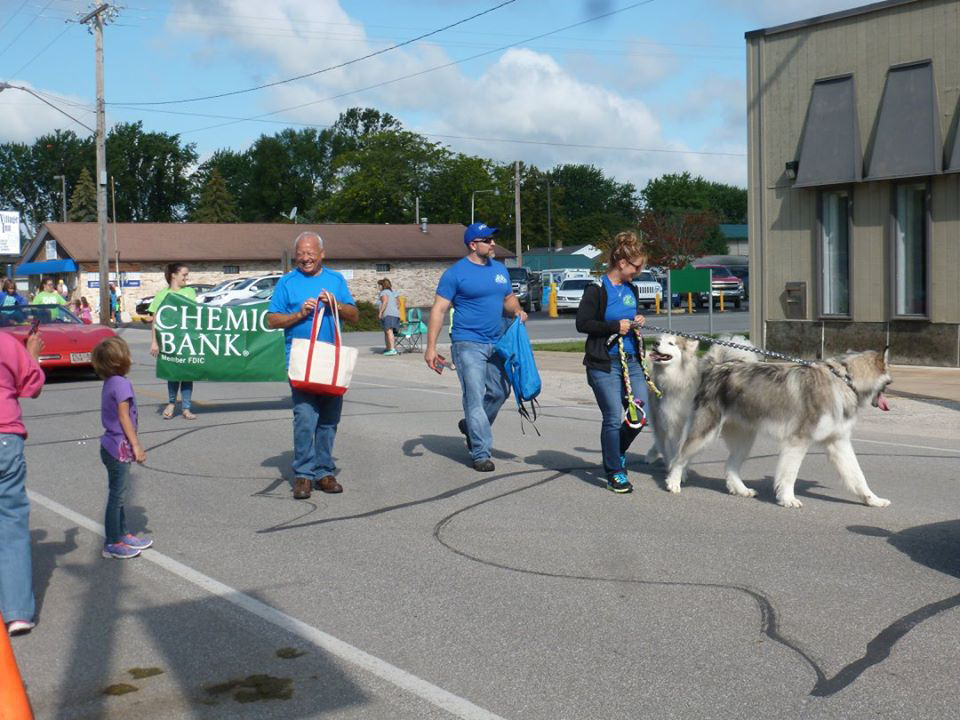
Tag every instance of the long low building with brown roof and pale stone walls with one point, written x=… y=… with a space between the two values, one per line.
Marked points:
x=412 y=256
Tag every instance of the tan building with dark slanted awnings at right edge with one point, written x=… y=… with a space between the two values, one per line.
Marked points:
x=854 y=182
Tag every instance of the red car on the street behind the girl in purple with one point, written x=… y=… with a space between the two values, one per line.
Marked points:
x=67 y=342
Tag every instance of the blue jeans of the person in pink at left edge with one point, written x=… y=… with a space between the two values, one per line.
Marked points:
x=16 y=570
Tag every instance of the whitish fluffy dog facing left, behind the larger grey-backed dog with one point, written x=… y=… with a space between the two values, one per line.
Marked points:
x=676 y=370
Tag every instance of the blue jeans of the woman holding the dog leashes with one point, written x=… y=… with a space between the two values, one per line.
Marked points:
x=608 y=388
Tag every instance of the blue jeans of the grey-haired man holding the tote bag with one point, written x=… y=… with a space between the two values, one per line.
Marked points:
x=315 y=420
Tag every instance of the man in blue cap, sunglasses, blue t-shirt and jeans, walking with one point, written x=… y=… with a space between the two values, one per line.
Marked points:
x=479 y=290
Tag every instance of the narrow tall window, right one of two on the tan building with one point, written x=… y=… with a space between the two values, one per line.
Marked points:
x=910 y=249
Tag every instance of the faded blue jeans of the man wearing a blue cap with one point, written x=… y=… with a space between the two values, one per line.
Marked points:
x=485 y=388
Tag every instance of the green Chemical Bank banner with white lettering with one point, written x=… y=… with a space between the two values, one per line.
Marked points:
x=219 y=344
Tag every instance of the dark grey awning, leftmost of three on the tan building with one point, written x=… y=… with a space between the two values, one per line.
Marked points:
x=830 y=151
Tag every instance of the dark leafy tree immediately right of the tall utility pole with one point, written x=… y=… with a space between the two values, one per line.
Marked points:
x=151 y=170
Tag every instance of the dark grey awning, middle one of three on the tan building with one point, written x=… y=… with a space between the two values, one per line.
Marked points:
x=908 y=141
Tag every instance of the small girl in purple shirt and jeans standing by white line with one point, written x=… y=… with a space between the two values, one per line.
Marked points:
x=119 y=445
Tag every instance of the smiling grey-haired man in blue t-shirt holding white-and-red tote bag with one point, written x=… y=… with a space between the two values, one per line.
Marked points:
x=315 y=417
